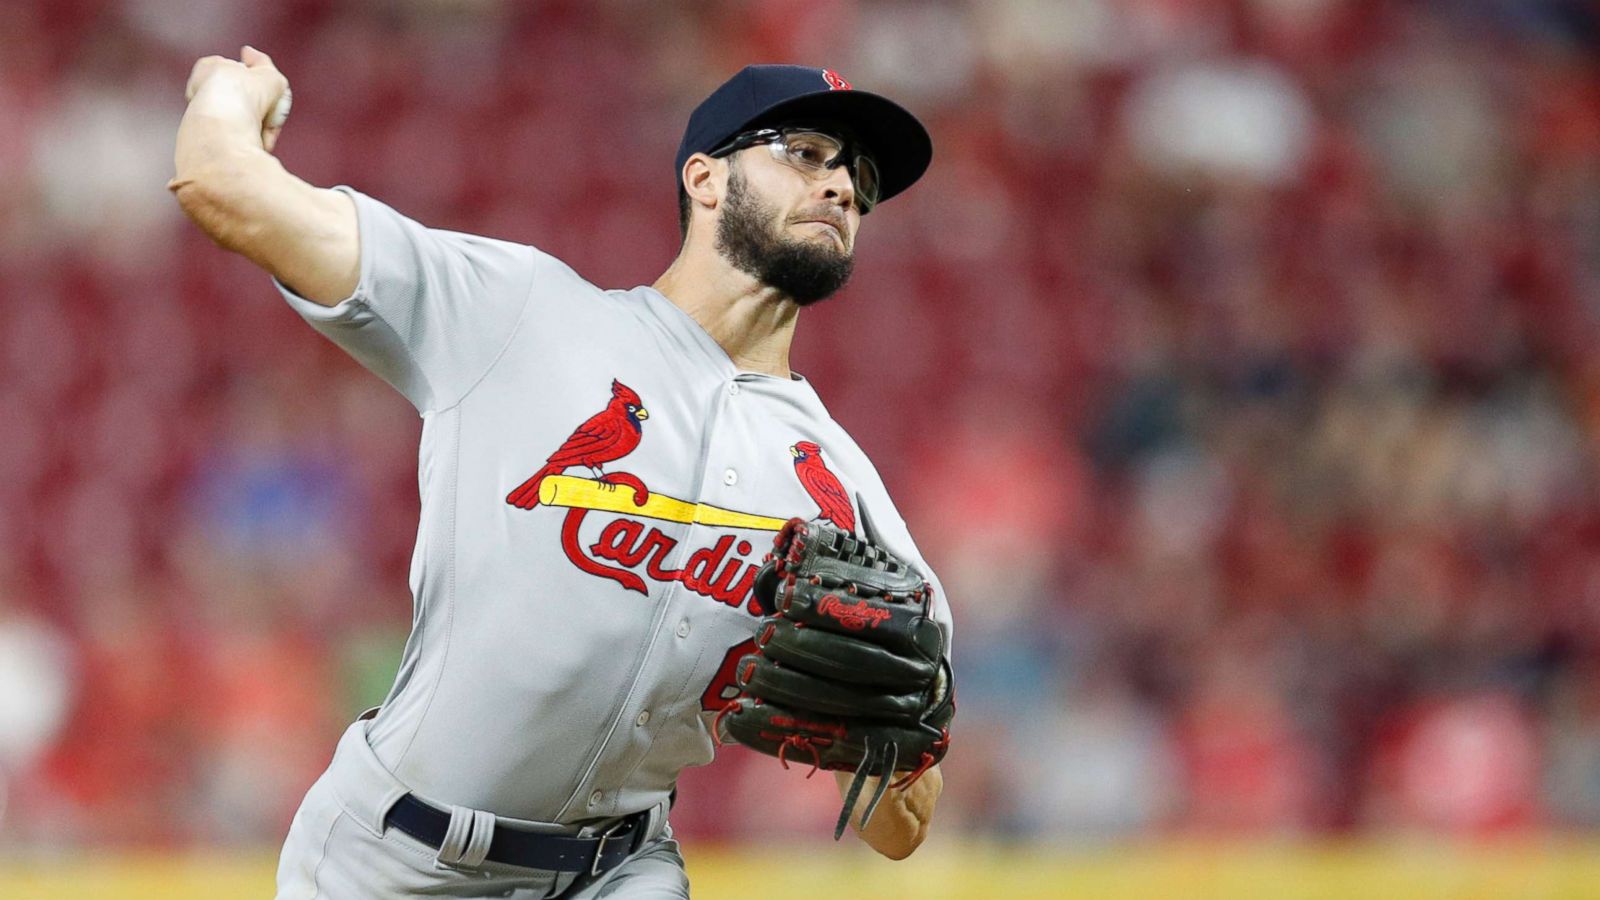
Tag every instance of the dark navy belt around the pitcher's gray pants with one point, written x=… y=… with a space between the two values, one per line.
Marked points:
x=554 y=853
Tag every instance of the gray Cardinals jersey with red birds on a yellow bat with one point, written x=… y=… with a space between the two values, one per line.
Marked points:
x=599 y=486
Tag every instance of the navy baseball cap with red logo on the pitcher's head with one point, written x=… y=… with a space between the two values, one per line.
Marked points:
x=761 y=97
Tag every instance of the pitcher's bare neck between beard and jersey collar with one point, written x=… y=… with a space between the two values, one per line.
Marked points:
x=753 y=323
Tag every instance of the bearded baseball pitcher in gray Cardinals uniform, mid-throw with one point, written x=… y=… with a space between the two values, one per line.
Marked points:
x=604 y=475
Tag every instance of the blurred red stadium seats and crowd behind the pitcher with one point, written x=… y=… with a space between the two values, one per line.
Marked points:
x=1236 y=364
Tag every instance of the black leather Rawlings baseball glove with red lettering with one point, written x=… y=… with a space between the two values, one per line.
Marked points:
x=850 y=667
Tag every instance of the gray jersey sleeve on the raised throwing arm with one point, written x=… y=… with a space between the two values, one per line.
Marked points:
x=433 y=310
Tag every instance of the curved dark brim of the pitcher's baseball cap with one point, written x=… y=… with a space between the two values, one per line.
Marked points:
x=895 y=139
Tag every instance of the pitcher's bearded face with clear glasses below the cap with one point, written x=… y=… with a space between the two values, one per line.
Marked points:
x=786 y=230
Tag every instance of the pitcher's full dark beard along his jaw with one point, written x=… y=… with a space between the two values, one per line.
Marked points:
x=801 y=270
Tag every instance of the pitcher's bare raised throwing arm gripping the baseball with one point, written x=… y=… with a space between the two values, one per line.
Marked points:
x=244 y=199
